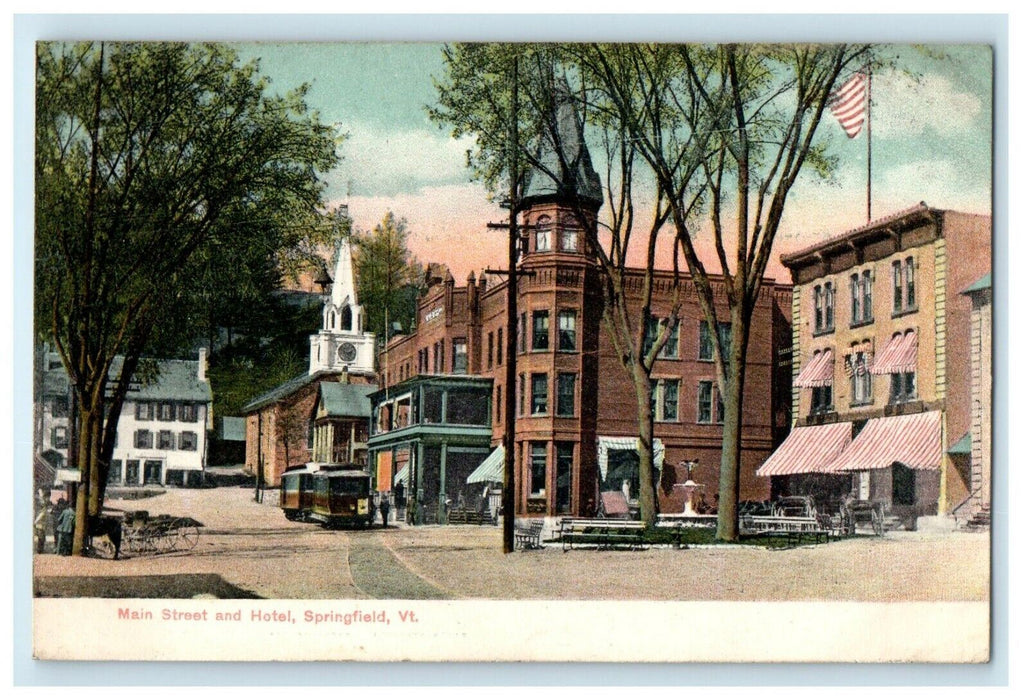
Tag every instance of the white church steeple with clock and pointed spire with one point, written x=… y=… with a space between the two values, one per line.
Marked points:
x=342 y=344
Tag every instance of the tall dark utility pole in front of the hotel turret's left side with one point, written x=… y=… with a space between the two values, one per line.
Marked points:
x=512 y=374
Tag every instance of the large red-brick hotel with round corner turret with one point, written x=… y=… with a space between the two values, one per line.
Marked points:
x=577 y=409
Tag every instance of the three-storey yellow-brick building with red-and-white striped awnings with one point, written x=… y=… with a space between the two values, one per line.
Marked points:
x=881 y=363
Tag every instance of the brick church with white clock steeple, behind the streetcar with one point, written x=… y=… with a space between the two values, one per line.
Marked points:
x=281 y=424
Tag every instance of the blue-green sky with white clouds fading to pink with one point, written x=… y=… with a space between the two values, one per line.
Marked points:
x=932 y=143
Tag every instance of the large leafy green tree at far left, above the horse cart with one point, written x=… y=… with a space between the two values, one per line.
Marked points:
x=158 y=167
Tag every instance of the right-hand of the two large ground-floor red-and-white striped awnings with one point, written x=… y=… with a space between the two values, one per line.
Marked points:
x=914 y=441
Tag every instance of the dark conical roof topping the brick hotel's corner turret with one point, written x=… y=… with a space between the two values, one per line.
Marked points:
x=565 y=172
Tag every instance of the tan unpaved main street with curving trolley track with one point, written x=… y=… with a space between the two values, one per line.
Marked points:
x=251 y=550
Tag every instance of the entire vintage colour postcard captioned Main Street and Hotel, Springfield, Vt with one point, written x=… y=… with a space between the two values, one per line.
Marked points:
x=511 y=352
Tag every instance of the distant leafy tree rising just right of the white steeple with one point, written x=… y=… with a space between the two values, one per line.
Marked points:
x=386 y=272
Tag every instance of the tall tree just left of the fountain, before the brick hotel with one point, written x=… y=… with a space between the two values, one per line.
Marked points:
x=474 y=100
